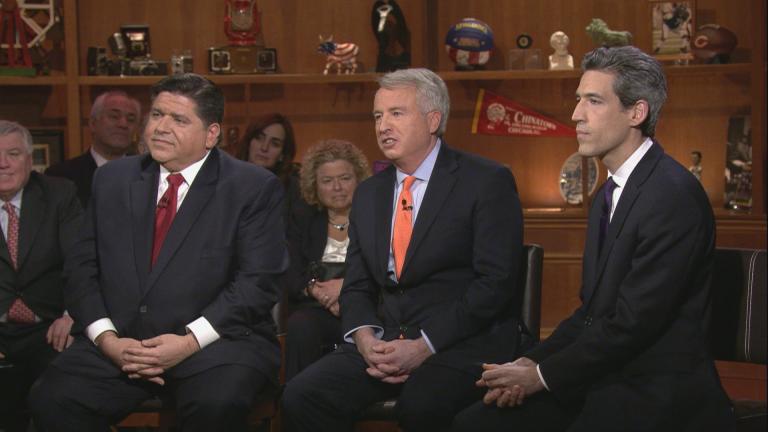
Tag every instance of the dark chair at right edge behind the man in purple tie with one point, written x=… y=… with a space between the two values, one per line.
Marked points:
x=738 y=332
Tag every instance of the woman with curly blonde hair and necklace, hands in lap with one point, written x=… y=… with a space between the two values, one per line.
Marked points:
x=330 y=172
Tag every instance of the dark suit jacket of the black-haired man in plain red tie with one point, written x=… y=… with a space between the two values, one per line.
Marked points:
x=219 y=260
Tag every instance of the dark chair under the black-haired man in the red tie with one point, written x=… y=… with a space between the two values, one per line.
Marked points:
x=158 y=413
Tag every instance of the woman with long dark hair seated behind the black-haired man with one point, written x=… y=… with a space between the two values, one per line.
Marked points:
x=269 y=142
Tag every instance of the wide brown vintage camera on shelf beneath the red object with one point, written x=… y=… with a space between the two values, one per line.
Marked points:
x=242 y=60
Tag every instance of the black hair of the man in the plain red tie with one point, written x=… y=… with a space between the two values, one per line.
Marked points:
x=207 y=96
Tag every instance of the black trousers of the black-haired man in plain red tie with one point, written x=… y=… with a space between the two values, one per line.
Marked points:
x=219 y=398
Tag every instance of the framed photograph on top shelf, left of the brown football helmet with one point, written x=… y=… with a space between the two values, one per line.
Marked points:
x=672 y=27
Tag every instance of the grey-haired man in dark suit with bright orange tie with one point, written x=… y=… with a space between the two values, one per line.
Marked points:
x=437 y=237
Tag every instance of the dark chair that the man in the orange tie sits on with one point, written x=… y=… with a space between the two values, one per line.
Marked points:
x=530 y=279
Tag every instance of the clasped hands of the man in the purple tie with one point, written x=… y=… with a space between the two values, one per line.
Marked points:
x=509 y=383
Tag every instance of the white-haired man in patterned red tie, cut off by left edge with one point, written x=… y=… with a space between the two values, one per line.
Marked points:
x=40 y=217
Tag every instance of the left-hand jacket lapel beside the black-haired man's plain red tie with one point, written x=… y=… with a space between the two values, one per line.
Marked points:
x=143 y=195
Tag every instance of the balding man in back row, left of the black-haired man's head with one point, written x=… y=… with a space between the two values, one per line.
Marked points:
x=114 y=120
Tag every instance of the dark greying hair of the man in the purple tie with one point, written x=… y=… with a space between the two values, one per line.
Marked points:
x=638 y=76
